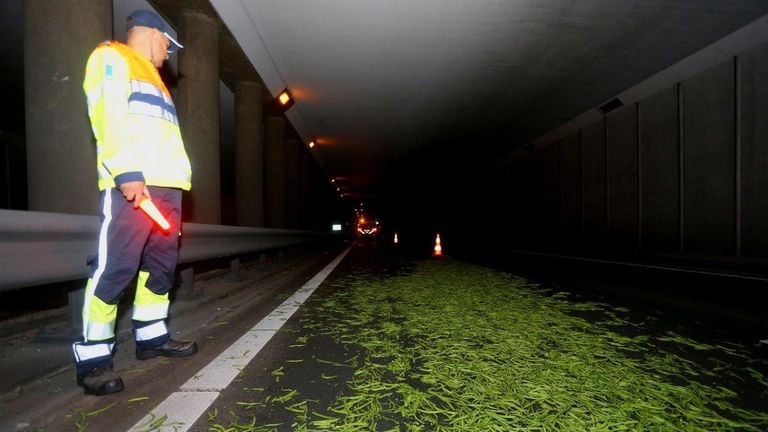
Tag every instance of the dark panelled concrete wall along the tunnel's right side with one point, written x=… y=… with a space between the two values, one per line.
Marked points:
x=682 y=173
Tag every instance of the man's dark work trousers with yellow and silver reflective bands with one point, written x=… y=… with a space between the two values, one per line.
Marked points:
x=129 y=242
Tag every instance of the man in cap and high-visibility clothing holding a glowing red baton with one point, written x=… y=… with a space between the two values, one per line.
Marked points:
x=140 y=155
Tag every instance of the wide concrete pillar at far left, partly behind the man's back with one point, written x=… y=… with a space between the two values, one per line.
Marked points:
x=61 y=151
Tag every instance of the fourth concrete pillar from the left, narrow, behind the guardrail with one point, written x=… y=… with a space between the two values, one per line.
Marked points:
x=274 y=168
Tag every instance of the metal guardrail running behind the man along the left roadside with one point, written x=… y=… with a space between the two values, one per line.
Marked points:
x=38 y=248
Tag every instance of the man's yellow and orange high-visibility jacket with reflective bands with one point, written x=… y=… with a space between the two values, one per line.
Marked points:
x=134 y=120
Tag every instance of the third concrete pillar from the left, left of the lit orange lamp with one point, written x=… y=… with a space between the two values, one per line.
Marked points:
x=249 y=154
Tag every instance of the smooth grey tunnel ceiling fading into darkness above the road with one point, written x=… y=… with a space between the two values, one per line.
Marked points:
x=397 y=91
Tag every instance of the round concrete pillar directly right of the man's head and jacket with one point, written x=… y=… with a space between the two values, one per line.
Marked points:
x=198 y=109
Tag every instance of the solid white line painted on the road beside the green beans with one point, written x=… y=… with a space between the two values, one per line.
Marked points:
x=181 y=409
